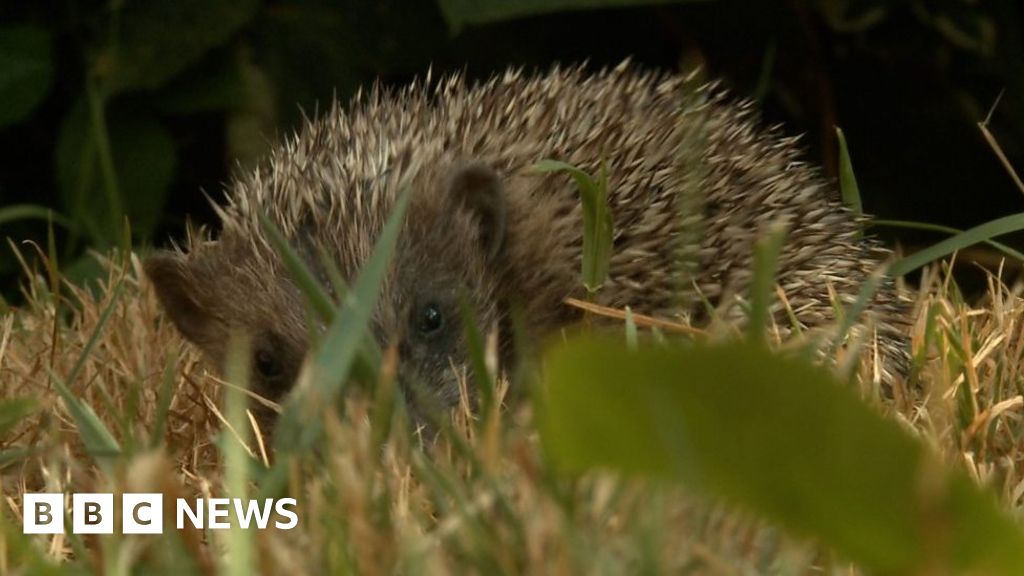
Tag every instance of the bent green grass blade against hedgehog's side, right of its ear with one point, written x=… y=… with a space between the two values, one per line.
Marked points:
x=598 y=222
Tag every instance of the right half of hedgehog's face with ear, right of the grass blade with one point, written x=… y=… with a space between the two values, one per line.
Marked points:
x=449 y=258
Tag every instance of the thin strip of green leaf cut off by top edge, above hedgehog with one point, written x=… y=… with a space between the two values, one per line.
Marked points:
x=462 y=13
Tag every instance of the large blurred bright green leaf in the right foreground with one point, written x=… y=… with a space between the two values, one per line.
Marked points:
x=779 y=437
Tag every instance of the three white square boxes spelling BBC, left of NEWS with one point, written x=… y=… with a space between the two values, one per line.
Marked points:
x=94 y=514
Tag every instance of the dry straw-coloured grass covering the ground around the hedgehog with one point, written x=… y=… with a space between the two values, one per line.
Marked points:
x=483 y=501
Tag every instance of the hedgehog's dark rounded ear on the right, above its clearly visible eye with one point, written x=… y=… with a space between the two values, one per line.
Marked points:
x=479 y=189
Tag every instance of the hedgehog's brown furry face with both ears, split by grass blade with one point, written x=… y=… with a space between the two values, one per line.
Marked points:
x=450 y=253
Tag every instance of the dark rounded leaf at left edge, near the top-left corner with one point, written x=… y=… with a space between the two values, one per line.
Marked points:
x=26 y=71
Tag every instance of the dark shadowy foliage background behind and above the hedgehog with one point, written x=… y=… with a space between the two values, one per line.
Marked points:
x=141 y=107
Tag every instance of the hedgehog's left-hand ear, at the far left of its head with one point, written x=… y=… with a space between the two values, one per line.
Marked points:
x=181 y=294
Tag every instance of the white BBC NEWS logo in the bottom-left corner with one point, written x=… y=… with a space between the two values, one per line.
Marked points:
x=144 y=514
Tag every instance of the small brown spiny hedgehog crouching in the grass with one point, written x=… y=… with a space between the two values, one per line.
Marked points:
x=483 y=223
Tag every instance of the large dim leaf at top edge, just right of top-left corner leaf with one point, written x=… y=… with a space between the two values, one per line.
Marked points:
x=158 y=40
